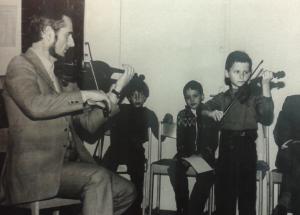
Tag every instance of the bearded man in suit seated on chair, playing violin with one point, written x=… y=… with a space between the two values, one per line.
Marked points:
x=45 y=156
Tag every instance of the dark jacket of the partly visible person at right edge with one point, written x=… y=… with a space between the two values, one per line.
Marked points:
x=288 y=128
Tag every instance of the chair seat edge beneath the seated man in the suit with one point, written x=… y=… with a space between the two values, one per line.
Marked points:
x=52 y=203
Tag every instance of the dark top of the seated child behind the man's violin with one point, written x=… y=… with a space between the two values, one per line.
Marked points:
x=130 y=130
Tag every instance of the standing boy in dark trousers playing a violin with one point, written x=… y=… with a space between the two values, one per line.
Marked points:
x=236 y=166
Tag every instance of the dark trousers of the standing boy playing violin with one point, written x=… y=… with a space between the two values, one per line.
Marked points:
x=236 y=173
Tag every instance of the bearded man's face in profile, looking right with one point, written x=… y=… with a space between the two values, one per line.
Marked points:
x=63 y=39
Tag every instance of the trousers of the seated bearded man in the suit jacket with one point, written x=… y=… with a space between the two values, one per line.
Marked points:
x=102 y=192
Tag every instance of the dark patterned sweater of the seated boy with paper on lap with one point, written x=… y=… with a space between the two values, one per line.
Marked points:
x=189 y=141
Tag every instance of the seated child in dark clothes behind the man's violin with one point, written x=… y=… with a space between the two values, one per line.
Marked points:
x=129 y=131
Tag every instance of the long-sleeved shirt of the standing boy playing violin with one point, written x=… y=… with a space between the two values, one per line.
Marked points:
x=243 y=116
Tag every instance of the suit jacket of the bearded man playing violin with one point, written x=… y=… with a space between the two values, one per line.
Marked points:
x=40 y=122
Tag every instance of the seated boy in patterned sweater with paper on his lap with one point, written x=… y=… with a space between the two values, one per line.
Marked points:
x=196 y=135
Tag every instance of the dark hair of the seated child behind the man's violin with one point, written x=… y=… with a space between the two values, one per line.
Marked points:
x=137 y=84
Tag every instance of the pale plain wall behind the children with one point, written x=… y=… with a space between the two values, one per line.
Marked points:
x=174 y=41
